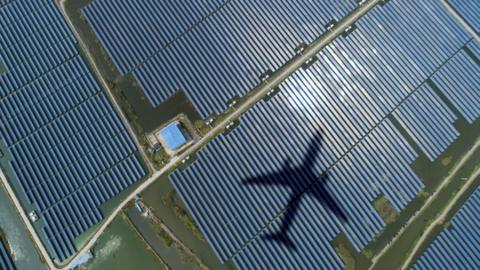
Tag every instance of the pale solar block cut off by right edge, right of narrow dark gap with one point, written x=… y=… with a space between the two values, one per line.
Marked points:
x=459 y=81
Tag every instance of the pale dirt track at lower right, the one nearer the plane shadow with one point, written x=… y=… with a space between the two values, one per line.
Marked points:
x=429 y=201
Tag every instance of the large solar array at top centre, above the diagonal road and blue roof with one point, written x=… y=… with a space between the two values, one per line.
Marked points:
x=224 y=54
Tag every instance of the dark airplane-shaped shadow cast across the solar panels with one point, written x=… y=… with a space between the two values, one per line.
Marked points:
x=315 y=187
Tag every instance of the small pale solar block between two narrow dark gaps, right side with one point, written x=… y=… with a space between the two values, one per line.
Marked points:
x=428 y=120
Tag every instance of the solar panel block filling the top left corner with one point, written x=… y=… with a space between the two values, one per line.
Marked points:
x=21 y=31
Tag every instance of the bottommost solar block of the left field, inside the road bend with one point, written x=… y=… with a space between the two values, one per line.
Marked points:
x=68 y=218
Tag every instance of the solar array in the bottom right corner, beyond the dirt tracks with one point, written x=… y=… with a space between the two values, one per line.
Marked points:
x=457 y=247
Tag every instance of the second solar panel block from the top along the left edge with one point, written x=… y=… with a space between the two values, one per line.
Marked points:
x=31 y=107
